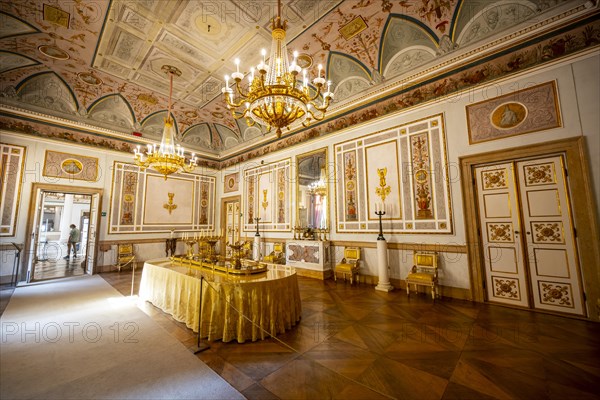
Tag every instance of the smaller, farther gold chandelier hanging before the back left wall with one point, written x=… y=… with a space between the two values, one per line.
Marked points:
x=169 y=158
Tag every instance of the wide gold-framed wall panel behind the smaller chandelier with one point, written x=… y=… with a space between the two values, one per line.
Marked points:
x=142 y=202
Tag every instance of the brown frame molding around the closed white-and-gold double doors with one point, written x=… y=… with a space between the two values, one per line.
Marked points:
x=583 y=208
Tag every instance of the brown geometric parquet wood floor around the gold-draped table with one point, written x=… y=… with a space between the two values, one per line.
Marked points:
x=354 y=342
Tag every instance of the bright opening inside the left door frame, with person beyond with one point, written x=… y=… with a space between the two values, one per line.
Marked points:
x=64 y=218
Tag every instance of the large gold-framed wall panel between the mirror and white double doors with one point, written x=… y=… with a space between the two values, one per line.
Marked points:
x=419 y=176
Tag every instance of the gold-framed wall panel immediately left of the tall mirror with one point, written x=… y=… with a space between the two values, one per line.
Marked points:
x=268 y=196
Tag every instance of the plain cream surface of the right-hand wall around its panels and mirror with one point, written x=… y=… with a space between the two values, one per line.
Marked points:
x=578 y=90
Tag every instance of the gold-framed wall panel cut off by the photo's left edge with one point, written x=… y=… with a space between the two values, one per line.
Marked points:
x=12 y=166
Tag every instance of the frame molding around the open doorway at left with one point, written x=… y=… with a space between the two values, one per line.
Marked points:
x=31 y=215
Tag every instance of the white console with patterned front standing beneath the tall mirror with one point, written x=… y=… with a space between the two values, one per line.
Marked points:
x=310 y=257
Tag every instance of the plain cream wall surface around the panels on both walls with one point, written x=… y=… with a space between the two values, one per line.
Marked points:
x=578 y=85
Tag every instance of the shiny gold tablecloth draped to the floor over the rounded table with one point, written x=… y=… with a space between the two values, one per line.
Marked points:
x=233 y=307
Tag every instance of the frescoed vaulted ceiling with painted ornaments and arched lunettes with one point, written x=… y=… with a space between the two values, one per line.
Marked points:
x=99 y=63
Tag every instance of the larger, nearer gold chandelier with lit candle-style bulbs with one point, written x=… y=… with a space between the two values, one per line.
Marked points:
x=275 y=97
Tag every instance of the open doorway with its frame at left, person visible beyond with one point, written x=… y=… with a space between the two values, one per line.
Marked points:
x=58 y=215
